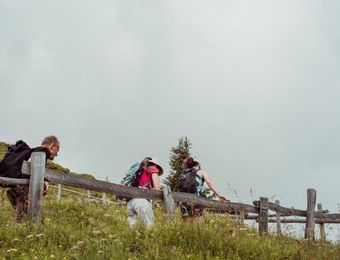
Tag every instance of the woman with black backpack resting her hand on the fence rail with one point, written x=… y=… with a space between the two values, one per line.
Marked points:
x=192 y=181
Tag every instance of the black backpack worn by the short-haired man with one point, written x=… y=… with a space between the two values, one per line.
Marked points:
x=11 y=165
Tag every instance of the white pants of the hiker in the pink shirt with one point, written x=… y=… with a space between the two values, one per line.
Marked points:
x=140 y=210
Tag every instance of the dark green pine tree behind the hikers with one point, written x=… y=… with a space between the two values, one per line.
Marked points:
x=177 y=155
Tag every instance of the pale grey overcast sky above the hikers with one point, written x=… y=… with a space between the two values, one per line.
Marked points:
x=254 y=85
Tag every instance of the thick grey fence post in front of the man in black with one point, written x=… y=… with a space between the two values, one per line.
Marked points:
x=36 y=188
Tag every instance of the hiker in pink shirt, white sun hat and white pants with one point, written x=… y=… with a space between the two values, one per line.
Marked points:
x=139 y=209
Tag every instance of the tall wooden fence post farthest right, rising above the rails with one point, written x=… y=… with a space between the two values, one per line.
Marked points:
x=310 y=222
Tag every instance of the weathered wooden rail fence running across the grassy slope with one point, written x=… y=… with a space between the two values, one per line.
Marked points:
x=259 y=211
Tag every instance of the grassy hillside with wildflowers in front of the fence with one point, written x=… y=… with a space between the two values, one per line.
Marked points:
x=91 y=231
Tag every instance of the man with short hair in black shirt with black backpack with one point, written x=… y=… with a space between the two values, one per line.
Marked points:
x=11 y=167
